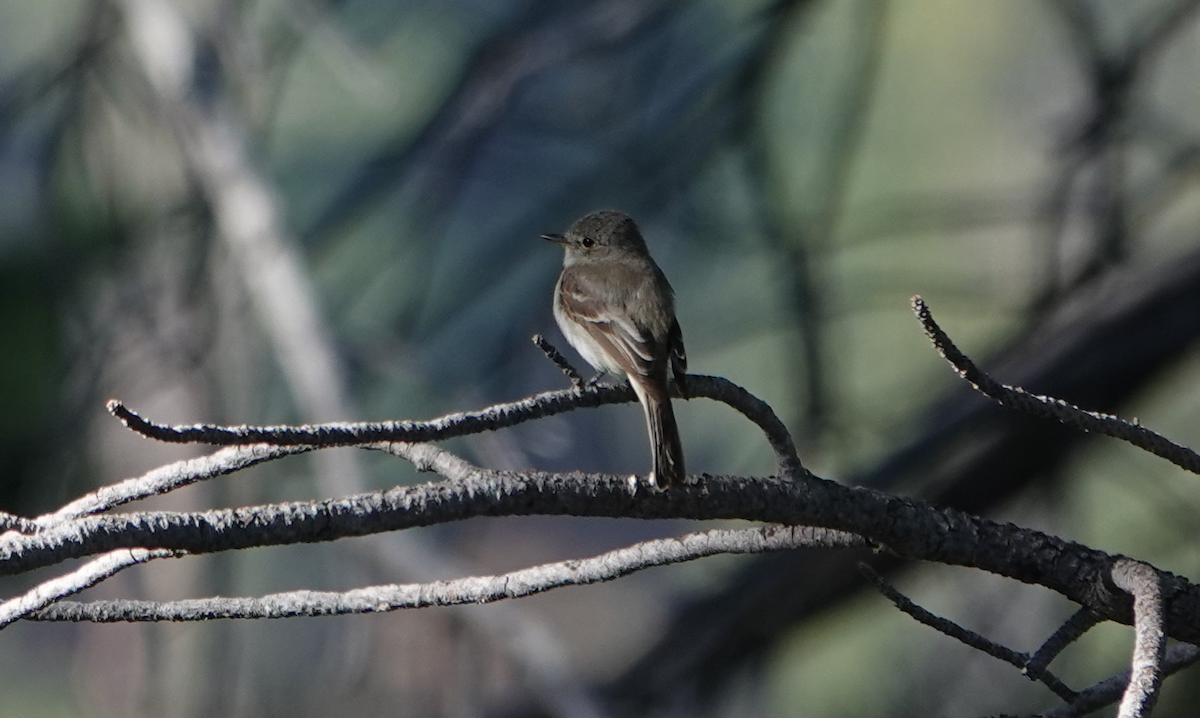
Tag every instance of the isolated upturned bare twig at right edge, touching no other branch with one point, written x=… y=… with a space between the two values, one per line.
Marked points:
x=1049 y=408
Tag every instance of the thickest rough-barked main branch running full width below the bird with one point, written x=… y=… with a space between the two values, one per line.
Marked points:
x=907 y=528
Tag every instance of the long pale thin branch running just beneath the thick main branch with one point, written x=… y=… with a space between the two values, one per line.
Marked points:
x=518 y=584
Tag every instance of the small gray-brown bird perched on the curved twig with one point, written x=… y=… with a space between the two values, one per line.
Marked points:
x=617 y=309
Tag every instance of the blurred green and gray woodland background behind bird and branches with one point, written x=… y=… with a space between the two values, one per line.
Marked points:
x=268 y=212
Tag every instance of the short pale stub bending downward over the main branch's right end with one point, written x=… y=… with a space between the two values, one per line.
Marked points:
x=1142 y=582
